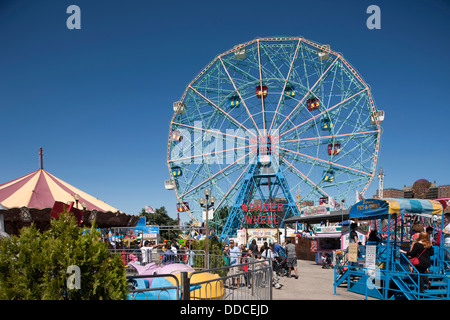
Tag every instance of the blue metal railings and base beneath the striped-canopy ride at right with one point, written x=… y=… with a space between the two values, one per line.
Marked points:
x=395 y=277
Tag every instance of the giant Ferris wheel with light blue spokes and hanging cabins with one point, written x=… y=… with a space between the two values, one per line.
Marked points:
x=289 y=105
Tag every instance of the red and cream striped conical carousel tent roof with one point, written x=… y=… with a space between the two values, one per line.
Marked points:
x=41 y=189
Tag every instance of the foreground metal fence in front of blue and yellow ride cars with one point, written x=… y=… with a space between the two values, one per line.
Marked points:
x=247 y=281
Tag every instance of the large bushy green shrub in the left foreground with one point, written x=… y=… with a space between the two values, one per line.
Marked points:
x=33 y=265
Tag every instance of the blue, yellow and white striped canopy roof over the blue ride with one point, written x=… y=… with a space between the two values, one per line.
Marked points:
x=382 y=208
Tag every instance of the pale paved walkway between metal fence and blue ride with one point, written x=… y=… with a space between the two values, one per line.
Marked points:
x=313 y=283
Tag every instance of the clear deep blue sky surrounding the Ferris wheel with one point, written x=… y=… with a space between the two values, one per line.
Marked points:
x=99 y=100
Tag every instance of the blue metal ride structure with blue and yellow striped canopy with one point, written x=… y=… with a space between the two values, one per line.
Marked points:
x=380 y=269
